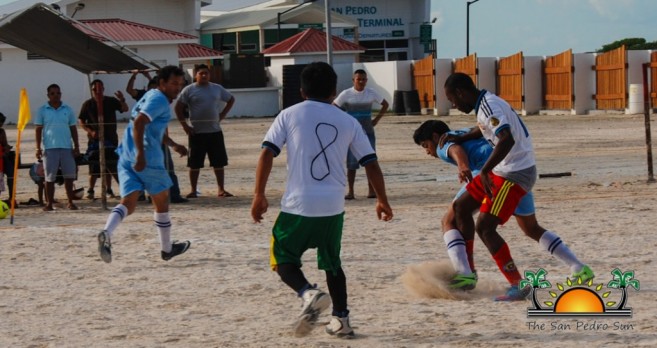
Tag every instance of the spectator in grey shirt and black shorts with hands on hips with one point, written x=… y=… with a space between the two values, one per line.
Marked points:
x=203 y=99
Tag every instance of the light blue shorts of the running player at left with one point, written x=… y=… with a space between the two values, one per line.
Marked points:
x=151 y=180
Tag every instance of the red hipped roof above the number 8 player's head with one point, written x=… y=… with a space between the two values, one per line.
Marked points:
x=312 y=41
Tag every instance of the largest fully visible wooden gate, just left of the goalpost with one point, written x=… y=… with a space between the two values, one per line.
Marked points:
x=611 y=80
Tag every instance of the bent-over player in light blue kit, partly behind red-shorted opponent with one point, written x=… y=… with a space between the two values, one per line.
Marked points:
x=469 y=157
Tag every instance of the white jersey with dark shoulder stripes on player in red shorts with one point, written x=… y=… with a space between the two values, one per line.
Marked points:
x=495 y=114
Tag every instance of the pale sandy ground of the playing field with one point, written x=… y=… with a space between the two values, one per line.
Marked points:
x=56 y=292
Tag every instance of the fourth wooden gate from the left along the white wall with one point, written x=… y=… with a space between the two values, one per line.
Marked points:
x=559 y=81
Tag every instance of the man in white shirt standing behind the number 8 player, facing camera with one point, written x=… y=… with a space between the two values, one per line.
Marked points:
x=357 y=101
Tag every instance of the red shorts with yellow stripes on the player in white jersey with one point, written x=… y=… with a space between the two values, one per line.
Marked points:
x=506 y=196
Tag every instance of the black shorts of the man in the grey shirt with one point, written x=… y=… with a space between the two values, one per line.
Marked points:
x=211 y=144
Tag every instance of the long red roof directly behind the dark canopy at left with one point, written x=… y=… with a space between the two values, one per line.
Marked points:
x=123 y=31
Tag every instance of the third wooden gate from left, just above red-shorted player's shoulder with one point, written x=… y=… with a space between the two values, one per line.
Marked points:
x=509 y=80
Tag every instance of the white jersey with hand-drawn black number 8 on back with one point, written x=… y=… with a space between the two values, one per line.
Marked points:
x=317 y=136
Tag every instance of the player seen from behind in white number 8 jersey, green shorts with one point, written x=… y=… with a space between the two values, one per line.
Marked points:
x=317 y=135
